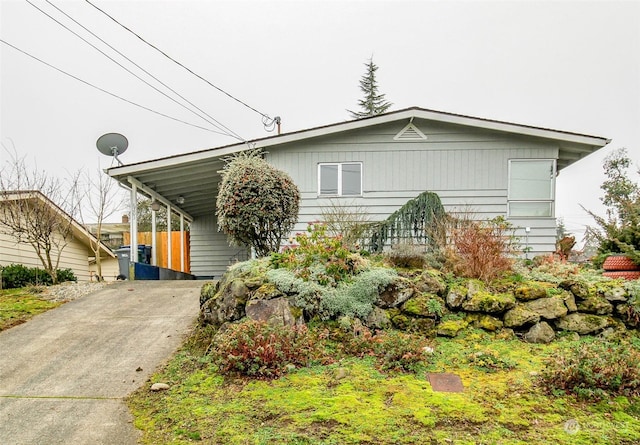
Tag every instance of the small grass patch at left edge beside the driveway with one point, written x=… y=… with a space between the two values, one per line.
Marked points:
x=19 y=305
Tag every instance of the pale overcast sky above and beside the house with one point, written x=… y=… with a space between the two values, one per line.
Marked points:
x=565 y=65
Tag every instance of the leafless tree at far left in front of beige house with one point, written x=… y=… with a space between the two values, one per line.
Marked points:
x=37 y=209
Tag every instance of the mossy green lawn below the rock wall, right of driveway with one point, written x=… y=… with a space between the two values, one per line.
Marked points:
x=352 y=402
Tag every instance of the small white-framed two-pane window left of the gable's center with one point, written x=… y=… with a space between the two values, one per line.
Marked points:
x=340 y=179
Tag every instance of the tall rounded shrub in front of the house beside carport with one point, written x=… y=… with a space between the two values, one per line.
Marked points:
x=257 y=204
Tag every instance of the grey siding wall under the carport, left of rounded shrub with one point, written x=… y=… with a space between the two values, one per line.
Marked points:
x=211 y=254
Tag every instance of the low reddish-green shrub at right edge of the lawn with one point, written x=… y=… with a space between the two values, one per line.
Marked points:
x=594 y=369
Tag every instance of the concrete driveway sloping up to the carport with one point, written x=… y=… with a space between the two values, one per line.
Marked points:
x=64 y=373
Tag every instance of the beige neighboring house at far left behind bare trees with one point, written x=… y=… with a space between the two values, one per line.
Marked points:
x=76 y=255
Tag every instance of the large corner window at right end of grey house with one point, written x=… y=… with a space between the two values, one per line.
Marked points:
x=531 y=187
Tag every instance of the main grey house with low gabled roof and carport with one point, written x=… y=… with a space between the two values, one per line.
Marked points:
x=488 y=167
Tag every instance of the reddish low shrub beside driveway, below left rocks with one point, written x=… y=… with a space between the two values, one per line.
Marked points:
x=261 y=350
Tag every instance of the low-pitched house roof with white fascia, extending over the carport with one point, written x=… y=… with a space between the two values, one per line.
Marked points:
x=195 y=175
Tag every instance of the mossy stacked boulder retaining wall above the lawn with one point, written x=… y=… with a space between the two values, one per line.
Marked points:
x=423 y=302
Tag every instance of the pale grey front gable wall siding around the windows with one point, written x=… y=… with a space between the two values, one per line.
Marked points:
x=467 y=168
